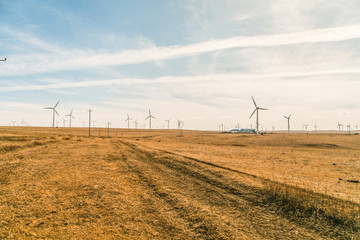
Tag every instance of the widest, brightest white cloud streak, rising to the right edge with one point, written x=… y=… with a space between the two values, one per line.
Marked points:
x=78 y=59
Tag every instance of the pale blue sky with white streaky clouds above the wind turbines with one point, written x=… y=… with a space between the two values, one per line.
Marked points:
x=198 y=61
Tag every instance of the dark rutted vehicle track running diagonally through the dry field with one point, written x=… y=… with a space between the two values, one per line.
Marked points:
x=213 y=206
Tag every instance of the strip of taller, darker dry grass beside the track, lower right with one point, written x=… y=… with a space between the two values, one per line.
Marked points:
x=313 y=208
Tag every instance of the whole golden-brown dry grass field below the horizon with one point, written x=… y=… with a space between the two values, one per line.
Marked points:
x=138 y=184
